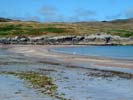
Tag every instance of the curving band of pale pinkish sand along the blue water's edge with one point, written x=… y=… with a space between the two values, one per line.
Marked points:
x=44 y=55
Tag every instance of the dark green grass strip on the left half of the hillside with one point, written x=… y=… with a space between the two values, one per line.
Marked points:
x=12 y=30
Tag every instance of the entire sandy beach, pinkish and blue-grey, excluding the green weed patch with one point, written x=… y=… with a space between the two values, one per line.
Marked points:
x=77 y=77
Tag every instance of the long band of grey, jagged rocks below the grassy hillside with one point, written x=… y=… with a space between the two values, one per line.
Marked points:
x=97 y=39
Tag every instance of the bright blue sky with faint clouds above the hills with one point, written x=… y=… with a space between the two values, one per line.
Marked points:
x=66 y=10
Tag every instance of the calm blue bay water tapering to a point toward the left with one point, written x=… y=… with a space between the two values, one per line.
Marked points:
x=122 y=52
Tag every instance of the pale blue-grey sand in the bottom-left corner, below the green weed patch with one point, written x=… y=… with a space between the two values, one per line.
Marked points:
x=12 y=88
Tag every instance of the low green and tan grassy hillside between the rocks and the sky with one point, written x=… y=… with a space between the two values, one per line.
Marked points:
x=10 y=27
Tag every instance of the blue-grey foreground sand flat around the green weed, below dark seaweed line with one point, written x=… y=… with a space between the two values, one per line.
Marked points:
x=74 y=83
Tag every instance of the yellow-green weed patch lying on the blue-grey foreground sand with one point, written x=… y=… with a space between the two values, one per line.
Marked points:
x=36 y=80
